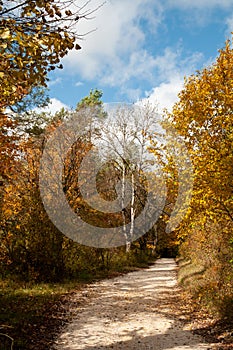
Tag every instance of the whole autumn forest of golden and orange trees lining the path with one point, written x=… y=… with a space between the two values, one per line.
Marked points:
x=38 y=262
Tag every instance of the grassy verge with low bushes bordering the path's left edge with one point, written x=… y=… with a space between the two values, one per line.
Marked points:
x=31 y=313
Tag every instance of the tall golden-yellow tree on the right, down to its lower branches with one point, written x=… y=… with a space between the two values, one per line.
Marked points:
x=203 y=116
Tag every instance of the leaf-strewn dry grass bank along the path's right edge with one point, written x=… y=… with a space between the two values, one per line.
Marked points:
x=213 y=316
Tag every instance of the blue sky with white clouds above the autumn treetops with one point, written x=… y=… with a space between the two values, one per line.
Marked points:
x=142 y=48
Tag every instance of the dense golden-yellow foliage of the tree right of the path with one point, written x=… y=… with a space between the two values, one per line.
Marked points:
x=204 y=117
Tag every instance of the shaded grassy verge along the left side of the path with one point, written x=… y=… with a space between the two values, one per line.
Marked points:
x=31 y=314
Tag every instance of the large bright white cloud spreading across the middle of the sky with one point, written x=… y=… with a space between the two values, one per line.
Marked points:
x=117 y=52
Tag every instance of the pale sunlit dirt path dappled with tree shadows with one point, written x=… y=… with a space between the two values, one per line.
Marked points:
x=131 y=312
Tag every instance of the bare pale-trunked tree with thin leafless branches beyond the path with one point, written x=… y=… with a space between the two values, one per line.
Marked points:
x=125 y=138
